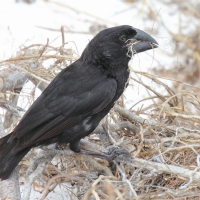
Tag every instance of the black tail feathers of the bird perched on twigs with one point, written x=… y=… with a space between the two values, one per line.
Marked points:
x=9 y=160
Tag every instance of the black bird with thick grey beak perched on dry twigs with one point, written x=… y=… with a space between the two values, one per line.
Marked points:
x=74 y=103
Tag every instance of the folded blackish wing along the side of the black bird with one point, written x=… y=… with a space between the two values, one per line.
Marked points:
x=63 y=104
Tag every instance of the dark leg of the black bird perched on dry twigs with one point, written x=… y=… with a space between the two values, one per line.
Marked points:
x=75 y=146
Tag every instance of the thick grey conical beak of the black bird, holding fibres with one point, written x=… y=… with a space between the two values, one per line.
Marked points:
x=143 y=41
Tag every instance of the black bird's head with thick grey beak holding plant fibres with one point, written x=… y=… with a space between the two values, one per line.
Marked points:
x=118 y=44
